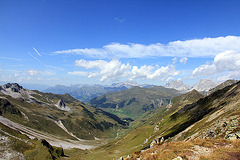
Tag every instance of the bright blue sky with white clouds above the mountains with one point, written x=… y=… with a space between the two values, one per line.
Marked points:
x=69 y=42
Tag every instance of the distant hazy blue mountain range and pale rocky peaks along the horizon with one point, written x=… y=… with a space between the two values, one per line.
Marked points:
x=85 y=92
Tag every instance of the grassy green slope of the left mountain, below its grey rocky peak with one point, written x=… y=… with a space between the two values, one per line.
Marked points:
x=83 y=121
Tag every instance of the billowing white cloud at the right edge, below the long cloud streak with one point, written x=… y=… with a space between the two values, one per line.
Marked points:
x=228 y=61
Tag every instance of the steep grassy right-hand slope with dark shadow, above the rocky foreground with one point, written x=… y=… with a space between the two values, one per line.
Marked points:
x=173 y=121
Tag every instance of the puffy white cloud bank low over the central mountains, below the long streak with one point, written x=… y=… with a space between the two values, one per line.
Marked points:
x=114 y=70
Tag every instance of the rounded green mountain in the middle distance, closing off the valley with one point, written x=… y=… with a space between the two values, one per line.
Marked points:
x=135 y=101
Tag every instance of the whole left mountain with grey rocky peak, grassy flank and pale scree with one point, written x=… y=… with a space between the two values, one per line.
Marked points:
x=54 y=116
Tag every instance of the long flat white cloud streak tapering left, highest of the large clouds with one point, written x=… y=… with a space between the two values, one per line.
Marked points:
x=206 y=47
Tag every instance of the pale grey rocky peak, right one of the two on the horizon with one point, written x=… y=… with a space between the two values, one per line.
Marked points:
x=204 y=85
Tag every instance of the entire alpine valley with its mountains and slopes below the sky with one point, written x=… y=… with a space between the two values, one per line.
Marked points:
x=122 y=121
